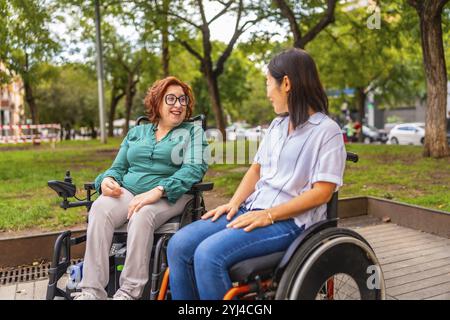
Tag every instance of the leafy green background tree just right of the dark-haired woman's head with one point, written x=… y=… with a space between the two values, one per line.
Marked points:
x=382 y=62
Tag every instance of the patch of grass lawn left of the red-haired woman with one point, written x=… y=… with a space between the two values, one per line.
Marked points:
x=25 y=199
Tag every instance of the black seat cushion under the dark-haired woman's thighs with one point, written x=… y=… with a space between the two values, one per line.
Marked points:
x=262 y=266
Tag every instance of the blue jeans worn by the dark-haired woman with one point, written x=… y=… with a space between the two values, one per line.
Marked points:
x=201 y=253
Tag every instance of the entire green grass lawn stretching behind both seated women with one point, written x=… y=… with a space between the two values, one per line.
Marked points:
x=394 y=172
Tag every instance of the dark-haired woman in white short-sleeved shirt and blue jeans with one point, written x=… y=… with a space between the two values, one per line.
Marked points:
x=299 y=164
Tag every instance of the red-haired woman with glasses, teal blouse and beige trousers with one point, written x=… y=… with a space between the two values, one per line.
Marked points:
x=156 y=165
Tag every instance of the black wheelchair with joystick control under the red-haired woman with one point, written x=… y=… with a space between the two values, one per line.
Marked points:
x=61 y=260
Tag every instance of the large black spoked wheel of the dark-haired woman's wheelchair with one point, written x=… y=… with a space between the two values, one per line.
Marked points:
x=334 y=264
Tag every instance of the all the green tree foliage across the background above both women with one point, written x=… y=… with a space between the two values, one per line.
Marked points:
x=386 y=61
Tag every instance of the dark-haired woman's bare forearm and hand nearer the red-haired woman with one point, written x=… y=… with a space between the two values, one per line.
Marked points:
x=245 y=189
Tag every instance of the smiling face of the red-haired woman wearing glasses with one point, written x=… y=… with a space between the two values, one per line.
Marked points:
x=173 y=107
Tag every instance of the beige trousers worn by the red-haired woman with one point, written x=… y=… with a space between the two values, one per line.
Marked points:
x=108 y=214
